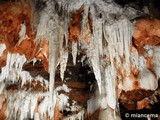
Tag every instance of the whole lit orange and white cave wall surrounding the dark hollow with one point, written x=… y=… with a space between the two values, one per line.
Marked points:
x=123 y=56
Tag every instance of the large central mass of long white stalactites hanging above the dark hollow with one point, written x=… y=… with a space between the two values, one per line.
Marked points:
x=107 y=44
